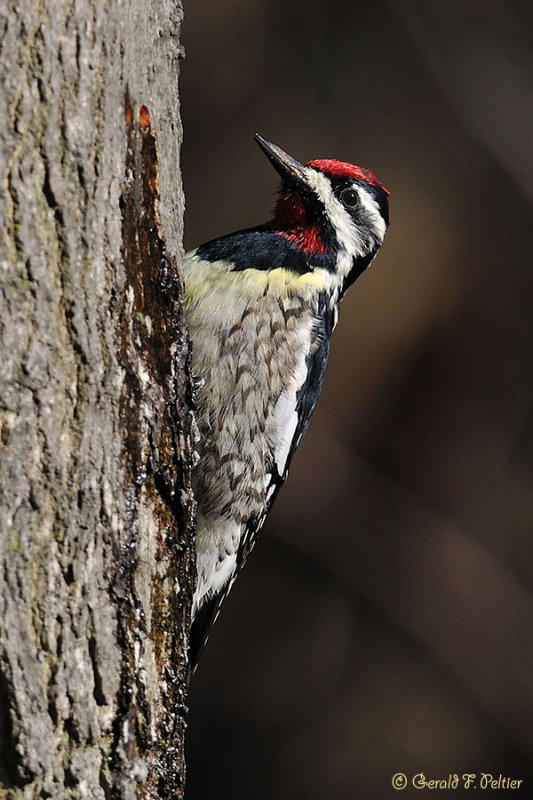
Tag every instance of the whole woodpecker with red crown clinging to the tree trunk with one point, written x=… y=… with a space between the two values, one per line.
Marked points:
x=260 y=306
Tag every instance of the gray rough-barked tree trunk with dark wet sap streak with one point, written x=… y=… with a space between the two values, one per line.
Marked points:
x=96 y=509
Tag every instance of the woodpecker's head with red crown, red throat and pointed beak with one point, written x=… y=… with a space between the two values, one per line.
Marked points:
x=334 y=212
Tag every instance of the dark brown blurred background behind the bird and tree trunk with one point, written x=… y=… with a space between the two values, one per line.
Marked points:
x=384 y=620
